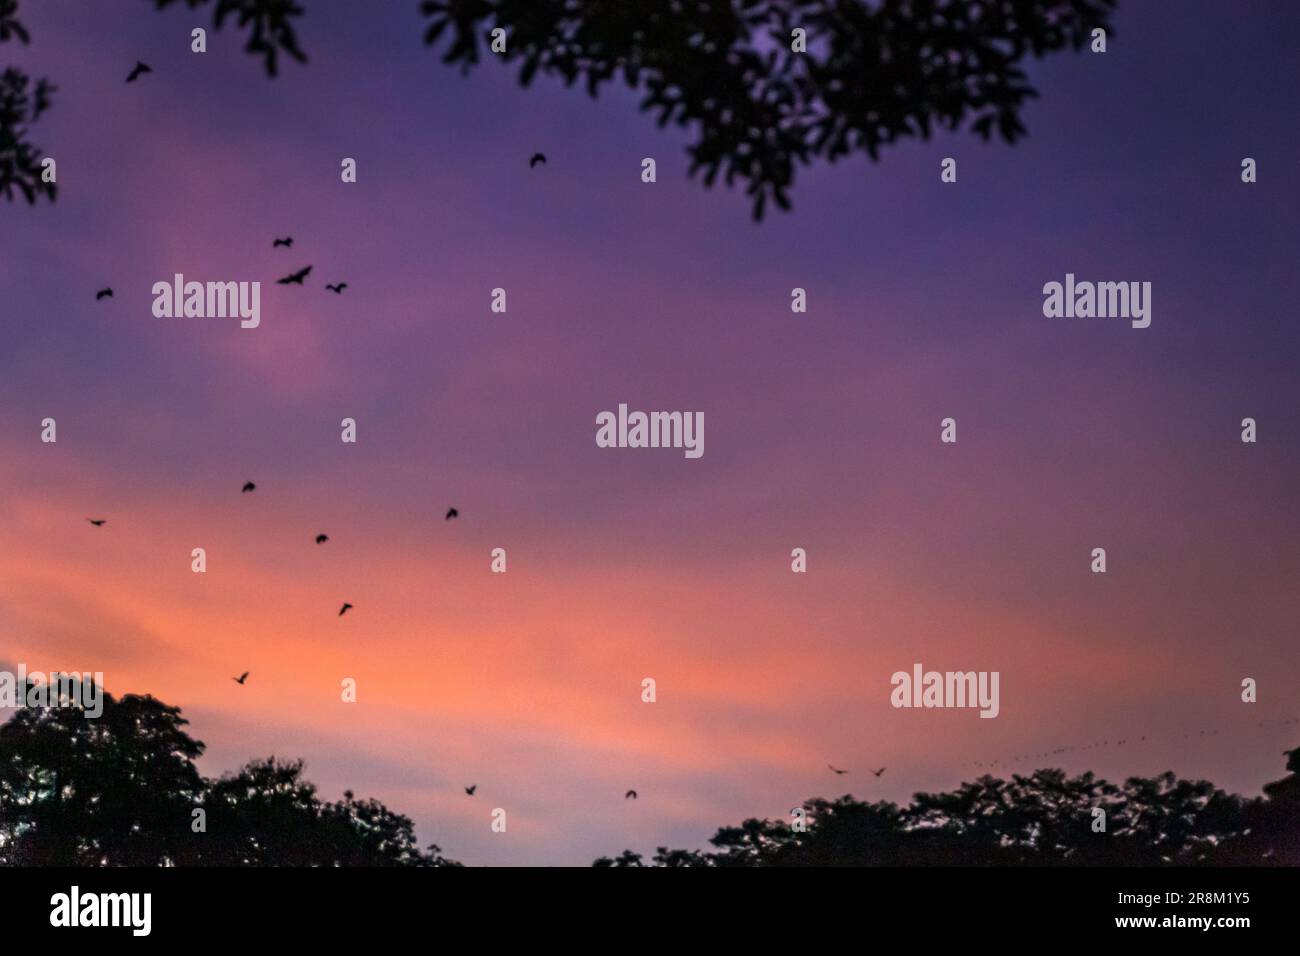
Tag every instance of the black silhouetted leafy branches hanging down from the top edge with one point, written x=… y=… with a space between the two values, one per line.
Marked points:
x=866 y=76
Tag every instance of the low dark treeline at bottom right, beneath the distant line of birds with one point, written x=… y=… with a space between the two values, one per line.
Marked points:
x=1043 y=820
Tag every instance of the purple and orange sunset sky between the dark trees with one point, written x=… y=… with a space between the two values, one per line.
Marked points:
x=822 y=430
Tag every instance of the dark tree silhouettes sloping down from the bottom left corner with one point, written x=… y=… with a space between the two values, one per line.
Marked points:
x=122 y=790
